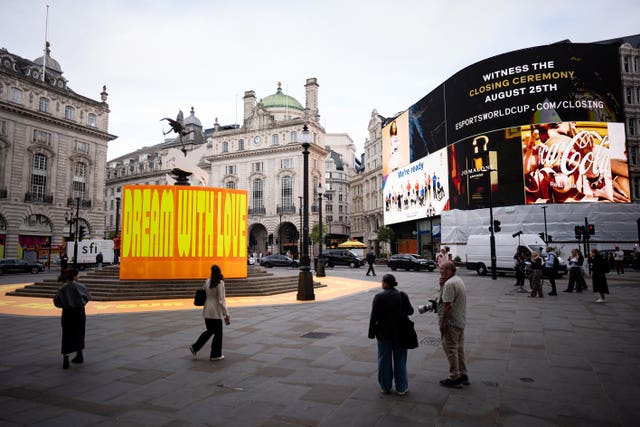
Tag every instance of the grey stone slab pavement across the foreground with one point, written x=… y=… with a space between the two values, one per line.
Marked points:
x=562 y=360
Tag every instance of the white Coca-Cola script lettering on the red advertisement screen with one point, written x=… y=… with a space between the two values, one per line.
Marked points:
x=587 y=153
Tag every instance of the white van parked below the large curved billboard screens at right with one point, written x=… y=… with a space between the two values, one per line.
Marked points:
x=478 y=255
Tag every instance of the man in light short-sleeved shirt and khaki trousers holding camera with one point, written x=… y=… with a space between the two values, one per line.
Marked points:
x=452 y=311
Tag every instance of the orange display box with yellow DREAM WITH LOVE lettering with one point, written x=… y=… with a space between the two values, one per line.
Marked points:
x=176 y=232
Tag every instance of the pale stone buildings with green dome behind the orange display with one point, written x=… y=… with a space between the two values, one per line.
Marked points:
x=263 y=156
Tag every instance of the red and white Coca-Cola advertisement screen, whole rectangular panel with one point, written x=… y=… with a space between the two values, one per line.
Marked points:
x=575 y=162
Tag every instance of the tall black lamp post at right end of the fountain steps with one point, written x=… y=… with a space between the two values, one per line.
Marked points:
x=305 y=278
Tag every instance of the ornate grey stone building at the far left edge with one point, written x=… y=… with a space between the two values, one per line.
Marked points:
x=53 y=150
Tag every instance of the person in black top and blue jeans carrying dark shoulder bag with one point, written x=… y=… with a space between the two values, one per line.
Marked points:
x=389 y=312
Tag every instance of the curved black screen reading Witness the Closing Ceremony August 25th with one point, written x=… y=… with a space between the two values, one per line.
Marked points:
x=554 y=83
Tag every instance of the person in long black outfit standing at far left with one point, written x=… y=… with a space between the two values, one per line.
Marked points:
x=72 y=297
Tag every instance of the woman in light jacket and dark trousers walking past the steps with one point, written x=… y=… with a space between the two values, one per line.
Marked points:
x=215 y=309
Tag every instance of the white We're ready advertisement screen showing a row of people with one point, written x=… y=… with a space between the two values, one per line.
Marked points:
x=418 y=190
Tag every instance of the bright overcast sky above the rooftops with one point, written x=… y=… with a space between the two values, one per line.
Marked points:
x=157 y=57
